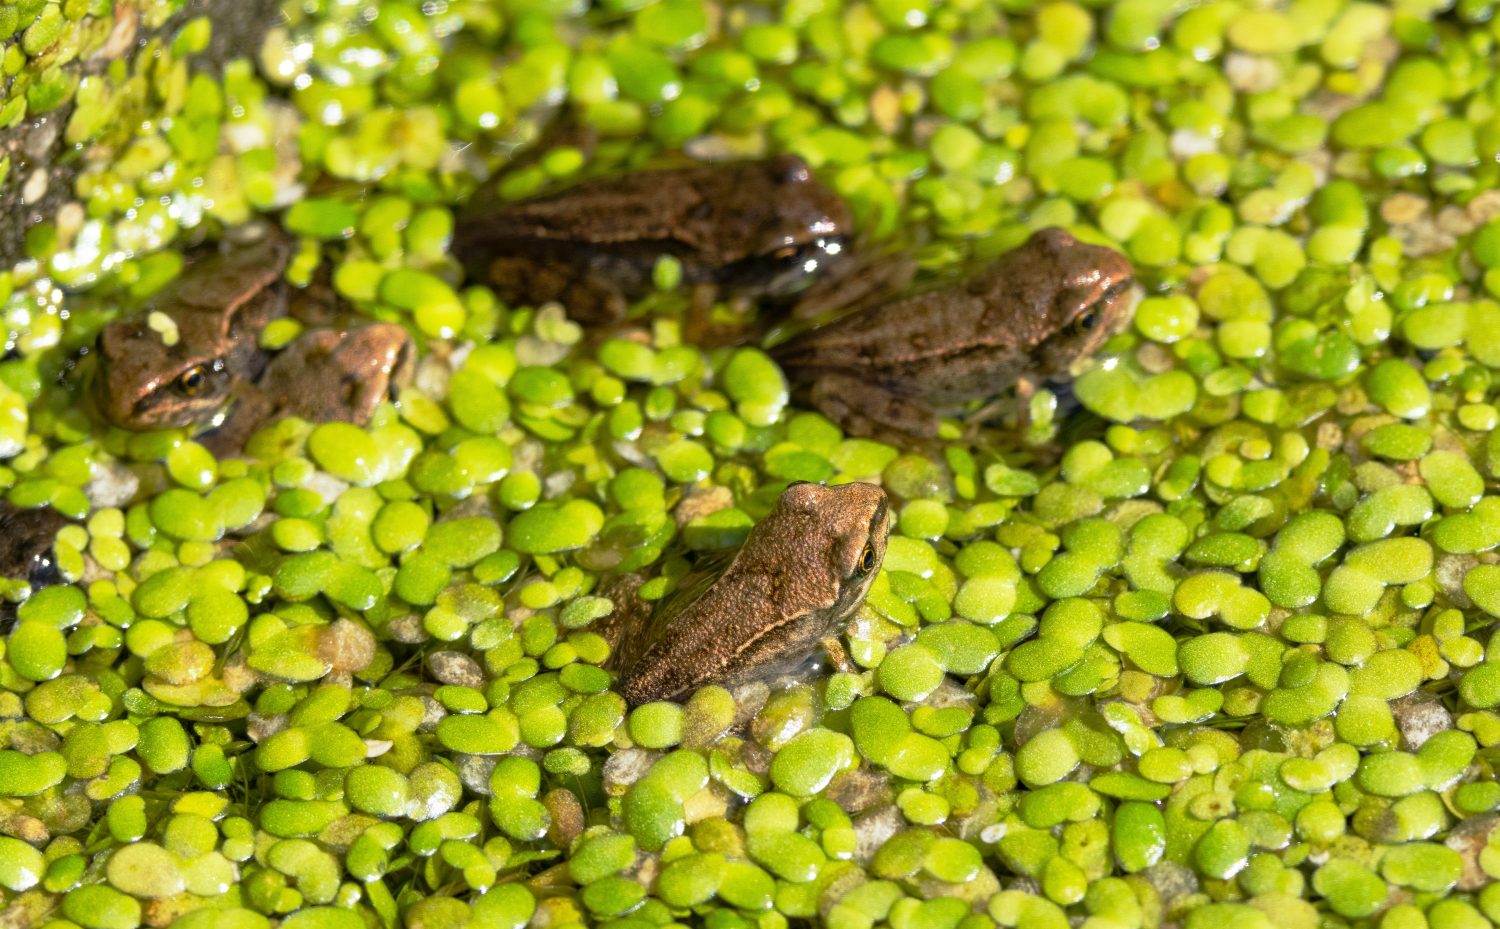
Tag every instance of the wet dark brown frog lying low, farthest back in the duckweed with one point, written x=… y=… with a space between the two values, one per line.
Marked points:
x=755 y=229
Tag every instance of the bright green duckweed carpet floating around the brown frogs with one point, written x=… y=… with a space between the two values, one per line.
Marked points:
x=1207 y=639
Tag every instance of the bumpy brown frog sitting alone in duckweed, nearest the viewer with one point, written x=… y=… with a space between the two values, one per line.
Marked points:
x=790 y=591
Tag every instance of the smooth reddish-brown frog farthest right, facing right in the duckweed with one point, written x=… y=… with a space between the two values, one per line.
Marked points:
x=1021 y=320
